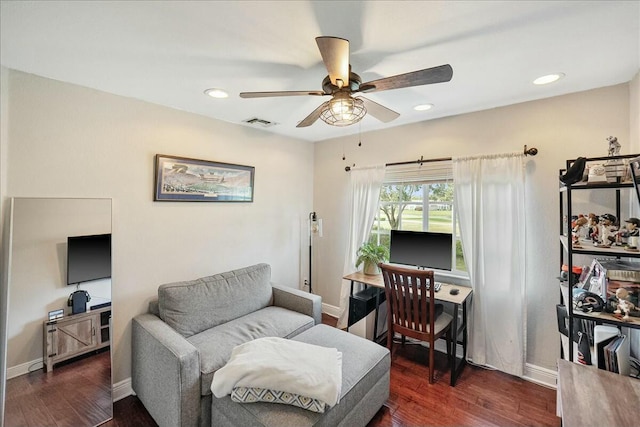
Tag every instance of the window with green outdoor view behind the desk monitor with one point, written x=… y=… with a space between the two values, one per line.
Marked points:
x=419 y=198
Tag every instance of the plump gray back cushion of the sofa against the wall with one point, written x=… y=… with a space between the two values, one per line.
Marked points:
x=194 y=306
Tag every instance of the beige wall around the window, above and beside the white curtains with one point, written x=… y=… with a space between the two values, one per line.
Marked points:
x=561 y=128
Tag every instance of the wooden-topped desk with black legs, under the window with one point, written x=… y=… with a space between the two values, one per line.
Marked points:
x=443 y=296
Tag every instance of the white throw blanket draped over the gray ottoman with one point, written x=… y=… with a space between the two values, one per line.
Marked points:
x=284 y=365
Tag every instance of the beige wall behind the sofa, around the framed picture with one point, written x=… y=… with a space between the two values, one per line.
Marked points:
x=70 y=141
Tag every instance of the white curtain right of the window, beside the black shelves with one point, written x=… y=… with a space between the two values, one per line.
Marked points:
x=489 y=197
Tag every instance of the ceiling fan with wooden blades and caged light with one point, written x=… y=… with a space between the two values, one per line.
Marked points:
x=344 y=109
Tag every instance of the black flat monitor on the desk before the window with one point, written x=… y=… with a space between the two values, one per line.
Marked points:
x=421 y=249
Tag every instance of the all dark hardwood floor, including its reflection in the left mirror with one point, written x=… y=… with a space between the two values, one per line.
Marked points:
x=480 y=398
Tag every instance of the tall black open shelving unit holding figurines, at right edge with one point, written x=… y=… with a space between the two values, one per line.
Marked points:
x=582 y=251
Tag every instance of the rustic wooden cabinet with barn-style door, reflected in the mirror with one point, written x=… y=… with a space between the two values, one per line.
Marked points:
x=76 y=335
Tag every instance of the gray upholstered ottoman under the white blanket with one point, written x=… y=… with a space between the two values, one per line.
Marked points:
x=365 y=388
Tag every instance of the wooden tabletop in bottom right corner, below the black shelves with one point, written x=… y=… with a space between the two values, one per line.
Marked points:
x=588 y=396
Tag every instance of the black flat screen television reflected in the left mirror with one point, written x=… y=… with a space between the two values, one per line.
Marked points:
x=88 y=258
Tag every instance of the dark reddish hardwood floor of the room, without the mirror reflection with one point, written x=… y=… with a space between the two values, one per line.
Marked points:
x=480 y=398
